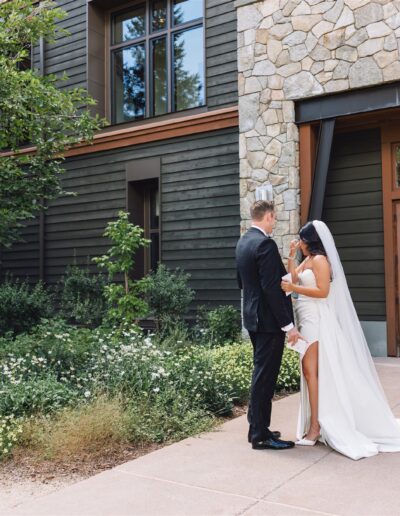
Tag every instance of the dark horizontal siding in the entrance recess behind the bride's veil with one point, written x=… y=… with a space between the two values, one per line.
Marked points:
x=353 y=211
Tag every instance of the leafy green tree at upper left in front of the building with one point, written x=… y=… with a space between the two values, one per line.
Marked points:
x=38 y=120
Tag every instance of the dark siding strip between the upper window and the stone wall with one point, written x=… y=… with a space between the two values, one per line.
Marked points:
x=221 y=53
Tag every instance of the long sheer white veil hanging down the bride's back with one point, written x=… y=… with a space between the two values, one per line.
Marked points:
x=340 y=301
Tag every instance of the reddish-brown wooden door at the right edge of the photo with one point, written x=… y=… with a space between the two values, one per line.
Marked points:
x=391 y=207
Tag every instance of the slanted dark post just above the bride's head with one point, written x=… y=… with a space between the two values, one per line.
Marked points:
x=321 y=168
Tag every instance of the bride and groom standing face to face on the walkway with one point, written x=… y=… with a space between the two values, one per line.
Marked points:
x=342 y=402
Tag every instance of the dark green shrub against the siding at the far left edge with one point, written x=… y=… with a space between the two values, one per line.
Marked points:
x=22 y=306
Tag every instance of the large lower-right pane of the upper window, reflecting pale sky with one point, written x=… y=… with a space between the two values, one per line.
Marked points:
x=188 y=69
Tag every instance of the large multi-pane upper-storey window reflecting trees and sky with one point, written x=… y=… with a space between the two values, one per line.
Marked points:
x=157 y=59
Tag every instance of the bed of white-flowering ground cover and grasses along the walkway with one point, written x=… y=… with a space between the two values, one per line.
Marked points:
x=64 y=388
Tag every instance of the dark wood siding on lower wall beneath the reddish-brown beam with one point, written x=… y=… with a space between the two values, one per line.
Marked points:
x=199 y=212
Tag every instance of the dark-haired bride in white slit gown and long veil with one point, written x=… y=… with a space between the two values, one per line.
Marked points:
x=342 y=401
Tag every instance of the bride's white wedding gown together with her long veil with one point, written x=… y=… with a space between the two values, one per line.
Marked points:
x=353 y=412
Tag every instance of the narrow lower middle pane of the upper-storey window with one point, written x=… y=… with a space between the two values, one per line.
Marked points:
x=159 y=58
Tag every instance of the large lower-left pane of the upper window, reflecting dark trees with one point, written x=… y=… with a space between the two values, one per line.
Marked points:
x=129 y=83
